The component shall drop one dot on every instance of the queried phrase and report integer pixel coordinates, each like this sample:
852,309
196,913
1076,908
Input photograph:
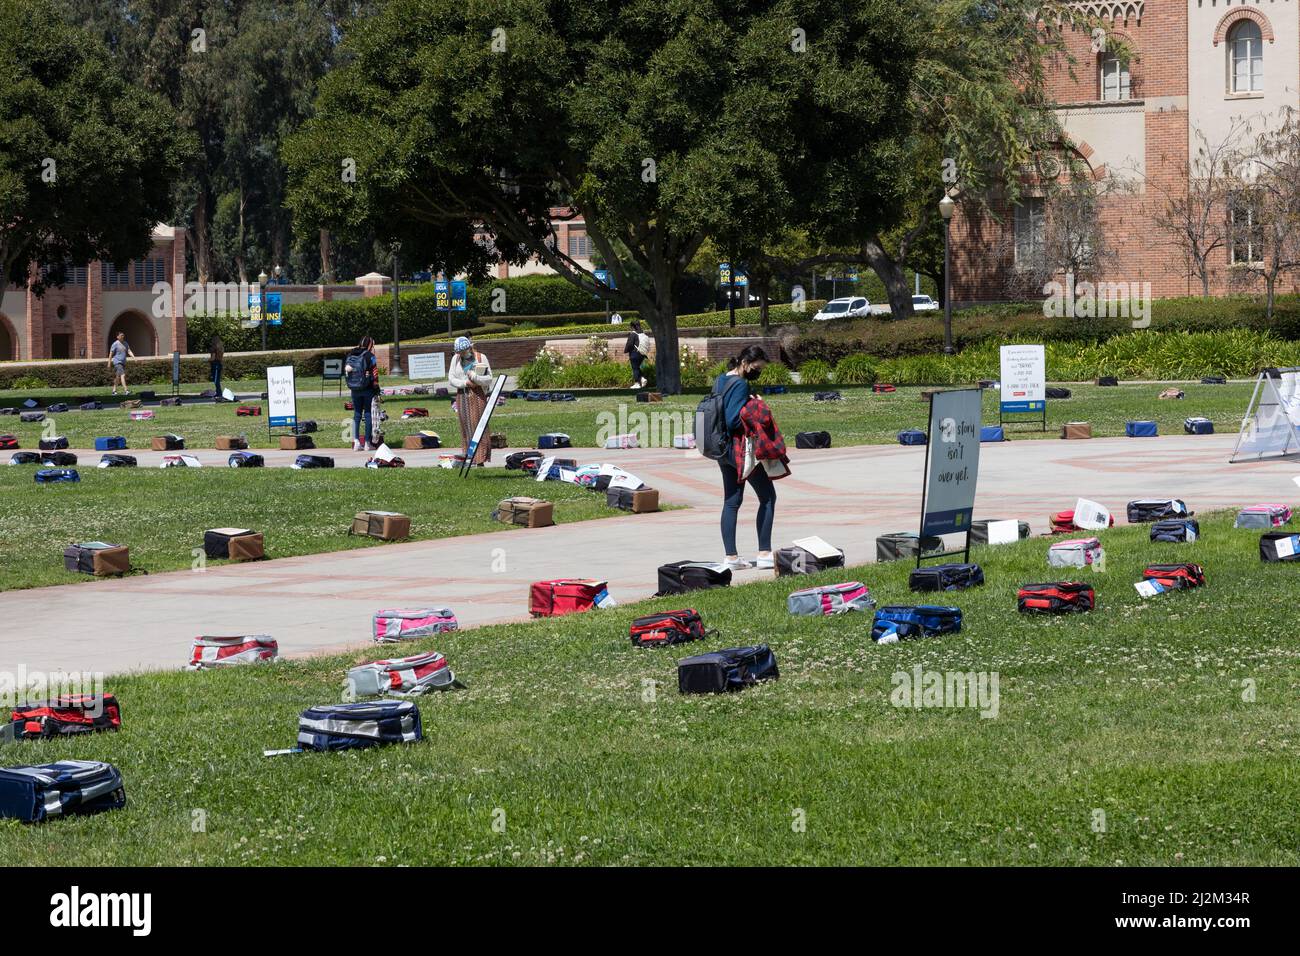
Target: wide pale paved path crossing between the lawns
850,496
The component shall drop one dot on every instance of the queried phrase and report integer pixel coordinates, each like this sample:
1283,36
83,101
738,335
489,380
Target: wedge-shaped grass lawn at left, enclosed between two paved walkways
162,514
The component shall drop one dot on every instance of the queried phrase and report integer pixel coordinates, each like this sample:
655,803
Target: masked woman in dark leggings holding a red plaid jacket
757,456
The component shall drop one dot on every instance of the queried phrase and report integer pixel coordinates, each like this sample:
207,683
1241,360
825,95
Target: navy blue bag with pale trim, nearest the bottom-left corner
64,789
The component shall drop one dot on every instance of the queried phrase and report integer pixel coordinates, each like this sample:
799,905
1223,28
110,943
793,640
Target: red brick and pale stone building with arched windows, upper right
1195,67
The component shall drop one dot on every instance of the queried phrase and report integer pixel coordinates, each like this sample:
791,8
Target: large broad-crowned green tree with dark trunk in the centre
662,124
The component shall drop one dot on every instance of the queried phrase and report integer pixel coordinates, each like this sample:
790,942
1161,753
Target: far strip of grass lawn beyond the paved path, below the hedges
863,418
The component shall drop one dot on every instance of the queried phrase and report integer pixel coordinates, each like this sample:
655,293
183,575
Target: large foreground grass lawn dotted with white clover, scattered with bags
1142,711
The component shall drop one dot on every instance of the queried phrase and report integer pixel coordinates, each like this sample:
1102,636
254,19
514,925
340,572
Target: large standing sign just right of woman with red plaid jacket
954,460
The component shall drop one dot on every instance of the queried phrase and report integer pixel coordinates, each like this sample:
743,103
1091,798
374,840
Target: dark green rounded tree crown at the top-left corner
88,161
